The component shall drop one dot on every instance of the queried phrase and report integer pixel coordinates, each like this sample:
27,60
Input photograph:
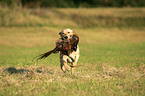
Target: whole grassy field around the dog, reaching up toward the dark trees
112,59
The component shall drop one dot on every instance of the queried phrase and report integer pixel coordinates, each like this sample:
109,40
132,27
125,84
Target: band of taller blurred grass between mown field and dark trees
81,18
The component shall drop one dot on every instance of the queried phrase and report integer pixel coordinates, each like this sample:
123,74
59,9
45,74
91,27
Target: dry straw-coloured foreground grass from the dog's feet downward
45,80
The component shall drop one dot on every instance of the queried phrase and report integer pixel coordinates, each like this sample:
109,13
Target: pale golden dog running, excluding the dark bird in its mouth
73,56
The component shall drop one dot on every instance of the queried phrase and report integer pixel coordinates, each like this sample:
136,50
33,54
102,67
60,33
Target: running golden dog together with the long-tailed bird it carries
68,47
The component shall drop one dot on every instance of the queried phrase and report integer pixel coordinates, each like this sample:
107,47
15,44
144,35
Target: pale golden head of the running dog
66,34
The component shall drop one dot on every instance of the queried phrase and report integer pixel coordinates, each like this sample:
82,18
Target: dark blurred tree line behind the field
73,3
